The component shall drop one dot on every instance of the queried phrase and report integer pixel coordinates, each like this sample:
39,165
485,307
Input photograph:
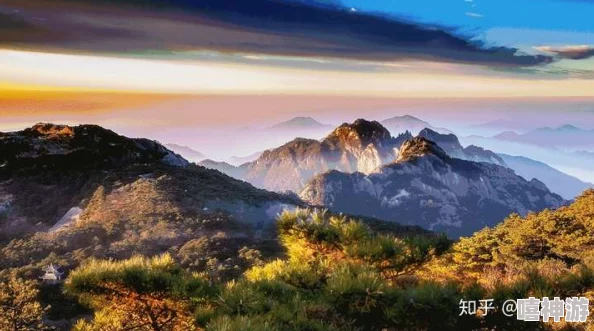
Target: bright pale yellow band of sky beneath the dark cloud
21,70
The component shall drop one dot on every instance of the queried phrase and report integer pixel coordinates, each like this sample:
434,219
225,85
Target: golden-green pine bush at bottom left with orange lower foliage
136,294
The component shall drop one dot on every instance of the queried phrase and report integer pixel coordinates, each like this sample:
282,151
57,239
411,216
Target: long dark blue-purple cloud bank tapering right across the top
256,26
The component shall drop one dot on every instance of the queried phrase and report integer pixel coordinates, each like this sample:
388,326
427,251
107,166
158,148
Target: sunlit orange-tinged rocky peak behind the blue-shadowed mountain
360,146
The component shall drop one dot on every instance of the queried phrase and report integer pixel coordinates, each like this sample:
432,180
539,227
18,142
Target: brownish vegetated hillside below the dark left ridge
144,210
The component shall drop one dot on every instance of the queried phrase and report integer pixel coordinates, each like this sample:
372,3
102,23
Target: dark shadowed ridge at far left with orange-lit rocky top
48,146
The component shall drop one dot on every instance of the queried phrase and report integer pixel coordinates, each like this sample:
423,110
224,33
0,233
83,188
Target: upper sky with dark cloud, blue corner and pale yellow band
427,48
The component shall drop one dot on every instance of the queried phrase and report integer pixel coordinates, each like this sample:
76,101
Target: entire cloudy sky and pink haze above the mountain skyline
170,69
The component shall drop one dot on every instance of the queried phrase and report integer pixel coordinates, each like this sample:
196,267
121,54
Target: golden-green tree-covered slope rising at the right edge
553,241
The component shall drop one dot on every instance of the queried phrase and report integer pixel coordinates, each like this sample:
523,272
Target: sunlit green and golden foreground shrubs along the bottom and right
339,274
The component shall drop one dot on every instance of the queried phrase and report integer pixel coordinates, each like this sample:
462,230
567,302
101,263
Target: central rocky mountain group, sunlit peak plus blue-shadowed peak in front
430,181
